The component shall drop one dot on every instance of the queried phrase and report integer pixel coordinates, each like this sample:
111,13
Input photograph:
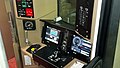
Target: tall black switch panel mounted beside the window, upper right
84,17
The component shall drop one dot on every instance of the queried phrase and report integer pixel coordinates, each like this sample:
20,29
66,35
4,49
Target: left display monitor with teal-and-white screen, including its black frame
51,34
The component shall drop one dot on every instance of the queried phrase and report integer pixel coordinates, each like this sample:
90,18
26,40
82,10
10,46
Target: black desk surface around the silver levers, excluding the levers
46,52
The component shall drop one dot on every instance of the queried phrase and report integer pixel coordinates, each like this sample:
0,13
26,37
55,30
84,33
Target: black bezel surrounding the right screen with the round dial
78,55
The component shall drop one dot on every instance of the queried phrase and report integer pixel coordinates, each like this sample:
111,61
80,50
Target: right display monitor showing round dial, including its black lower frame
80,47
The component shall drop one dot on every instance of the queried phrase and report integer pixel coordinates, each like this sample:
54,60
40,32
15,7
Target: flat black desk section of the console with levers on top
51,57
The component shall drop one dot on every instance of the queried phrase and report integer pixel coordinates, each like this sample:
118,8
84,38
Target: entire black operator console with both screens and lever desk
63,45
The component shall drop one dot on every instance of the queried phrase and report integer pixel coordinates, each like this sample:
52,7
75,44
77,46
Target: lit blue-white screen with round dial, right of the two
80,46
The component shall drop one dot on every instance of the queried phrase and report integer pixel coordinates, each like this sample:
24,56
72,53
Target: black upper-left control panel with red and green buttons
25,8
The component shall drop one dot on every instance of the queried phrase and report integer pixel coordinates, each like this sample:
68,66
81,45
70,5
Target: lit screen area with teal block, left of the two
52,34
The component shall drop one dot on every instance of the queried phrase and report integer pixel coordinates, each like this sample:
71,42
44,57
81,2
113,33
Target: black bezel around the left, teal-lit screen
52,25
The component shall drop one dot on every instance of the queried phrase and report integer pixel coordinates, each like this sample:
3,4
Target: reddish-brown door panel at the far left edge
6,31
